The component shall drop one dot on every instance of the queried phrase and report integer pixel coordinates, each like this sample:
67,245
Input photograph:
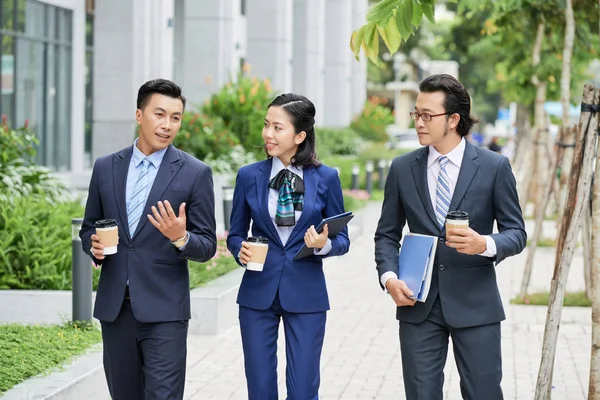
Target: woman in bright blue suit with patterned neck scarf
285,197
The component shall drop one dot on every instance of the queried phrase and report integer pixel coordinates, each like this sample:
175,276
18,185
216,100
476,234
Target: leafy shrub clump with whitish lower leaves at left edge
19,175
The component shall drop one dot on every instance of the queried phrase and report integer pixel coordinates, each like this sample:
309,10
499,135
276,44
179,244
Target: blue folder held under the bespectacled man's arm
415,263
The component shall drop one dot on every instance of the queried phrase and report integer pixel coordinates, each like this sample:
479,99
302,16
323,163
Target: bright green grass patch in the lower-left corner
26,351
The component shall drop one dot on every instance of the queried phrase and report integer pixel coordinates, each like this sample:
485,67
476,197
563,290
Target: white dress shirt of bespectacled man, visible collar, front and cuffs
452,169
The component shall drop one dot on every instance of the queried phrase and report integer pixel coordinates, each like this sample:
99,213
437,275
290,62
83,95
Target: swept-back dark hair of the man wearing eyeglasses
457,99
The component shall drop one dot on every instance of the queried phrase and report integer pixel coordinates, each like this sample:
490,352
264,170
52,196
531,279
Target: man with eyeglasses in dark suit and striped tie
464,303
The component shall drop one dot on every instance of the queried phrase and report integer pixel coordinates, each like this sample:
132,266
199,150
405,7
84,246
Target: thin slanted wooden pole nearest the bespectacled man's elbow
539,216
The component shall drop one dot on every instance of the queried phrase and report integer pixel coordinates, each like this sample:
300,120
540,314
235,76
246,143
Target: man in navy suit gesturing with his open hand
143,298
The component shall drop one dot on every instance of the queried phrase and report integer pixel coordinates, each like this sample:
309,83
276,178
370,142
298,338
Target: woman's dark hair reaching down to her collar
302,113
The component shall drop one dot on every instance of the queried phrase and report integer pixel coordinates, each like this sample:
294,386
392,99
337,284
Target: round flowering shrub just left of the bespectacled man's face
370,124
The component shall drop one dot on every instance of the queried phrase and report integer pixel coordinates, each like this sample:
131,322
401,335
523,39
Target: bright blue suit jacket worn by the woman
301,283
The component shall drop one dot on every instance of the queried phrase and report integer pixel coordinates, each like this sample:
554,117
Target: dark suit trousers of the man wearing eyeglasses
477,352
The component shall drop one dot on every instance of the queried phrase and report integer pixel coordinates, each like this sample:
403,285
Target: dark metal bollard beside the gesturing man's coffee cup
81,276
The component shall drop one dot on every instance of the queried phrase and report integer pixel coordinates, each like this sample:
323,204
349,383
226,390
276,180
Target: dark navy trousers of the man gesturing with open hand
144,361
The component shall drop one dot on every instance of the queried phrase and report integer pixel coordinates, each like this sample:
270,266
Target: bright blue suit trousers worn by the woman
304,334
